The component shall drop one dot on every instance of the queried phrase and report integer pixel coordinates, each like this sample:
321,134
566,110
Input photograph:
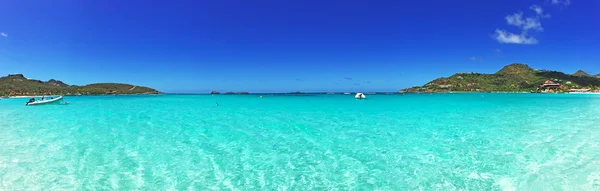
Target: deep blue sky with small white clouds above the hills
281,46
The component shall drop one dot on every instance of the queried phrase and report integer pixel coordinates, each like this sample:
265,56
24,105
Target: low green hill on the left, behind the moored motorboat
17,84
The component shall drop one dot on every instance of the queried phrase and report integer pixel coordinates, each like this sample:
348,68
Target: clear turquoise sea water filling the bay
323,142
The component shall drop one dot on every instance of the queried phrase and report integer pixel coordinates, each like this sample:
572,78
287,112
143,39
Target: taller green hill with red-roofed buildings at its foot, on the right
513,77
